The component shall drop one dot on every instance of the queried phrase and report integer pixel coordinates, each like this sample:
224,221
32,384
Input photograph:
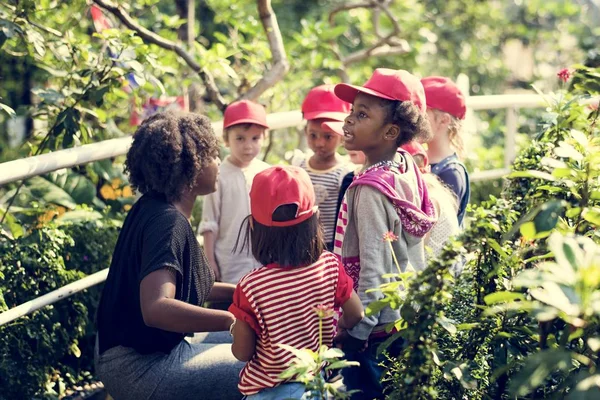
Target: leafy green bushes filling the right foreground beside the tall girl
520,321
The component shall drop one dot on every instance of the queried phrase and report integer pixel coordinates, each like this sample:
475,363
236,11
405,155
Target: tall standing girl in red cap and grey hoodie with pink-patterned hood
387,197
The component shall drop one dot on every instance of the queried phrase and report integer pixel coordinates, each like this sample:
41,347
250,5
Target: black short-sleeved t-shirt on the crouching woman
155,235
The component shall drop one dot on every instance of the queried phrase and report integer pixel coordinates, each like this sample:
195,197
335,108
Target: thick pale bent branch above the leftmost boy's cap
280,63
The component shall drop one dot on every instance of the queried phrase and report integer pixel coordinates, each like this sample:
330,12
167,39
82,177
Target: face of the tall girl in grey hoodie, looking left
365,127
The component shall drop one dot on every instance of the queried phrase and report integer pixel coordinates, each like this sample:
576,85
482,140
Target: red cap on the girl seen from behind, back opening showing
281,185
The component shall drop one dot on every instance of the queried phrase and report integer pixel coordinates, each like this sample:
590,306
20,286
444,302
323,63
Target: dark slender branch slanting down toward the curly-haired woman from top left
151,37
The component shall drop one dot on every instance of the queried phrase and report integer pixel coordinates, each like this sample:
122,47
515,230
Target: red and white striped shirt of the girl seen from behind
278,303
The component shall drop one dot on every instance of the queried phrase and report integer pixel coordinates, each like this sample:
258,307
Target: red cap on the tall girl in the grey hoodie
390,84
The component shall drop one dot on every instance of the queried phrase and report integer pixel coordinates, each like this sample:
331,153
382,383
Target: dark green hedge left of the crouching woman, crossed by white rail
44,352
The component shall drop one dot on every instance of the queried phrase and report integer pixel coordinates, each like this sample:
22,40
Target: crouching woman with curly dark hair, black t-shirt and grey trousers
159,277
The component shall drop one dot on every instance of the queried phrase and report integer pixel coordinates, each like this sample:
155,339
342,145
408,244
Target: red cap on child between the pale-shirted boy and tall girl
321,102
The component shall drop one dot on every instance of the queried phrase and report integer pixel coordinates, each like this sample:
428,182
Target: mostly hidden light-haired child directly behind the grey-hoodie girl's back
443,199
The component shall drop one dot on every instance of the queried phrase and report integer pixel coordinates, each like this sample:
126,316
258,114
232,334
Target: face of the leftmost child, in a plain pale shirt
244,144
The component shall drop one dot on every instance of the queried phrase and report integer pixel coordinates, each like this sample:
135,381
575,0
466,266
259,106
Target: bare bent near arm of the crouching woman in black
161,310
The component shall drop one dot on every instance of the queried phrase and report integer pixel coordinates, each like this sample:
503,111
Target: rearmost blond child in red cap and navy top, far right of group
446,109
